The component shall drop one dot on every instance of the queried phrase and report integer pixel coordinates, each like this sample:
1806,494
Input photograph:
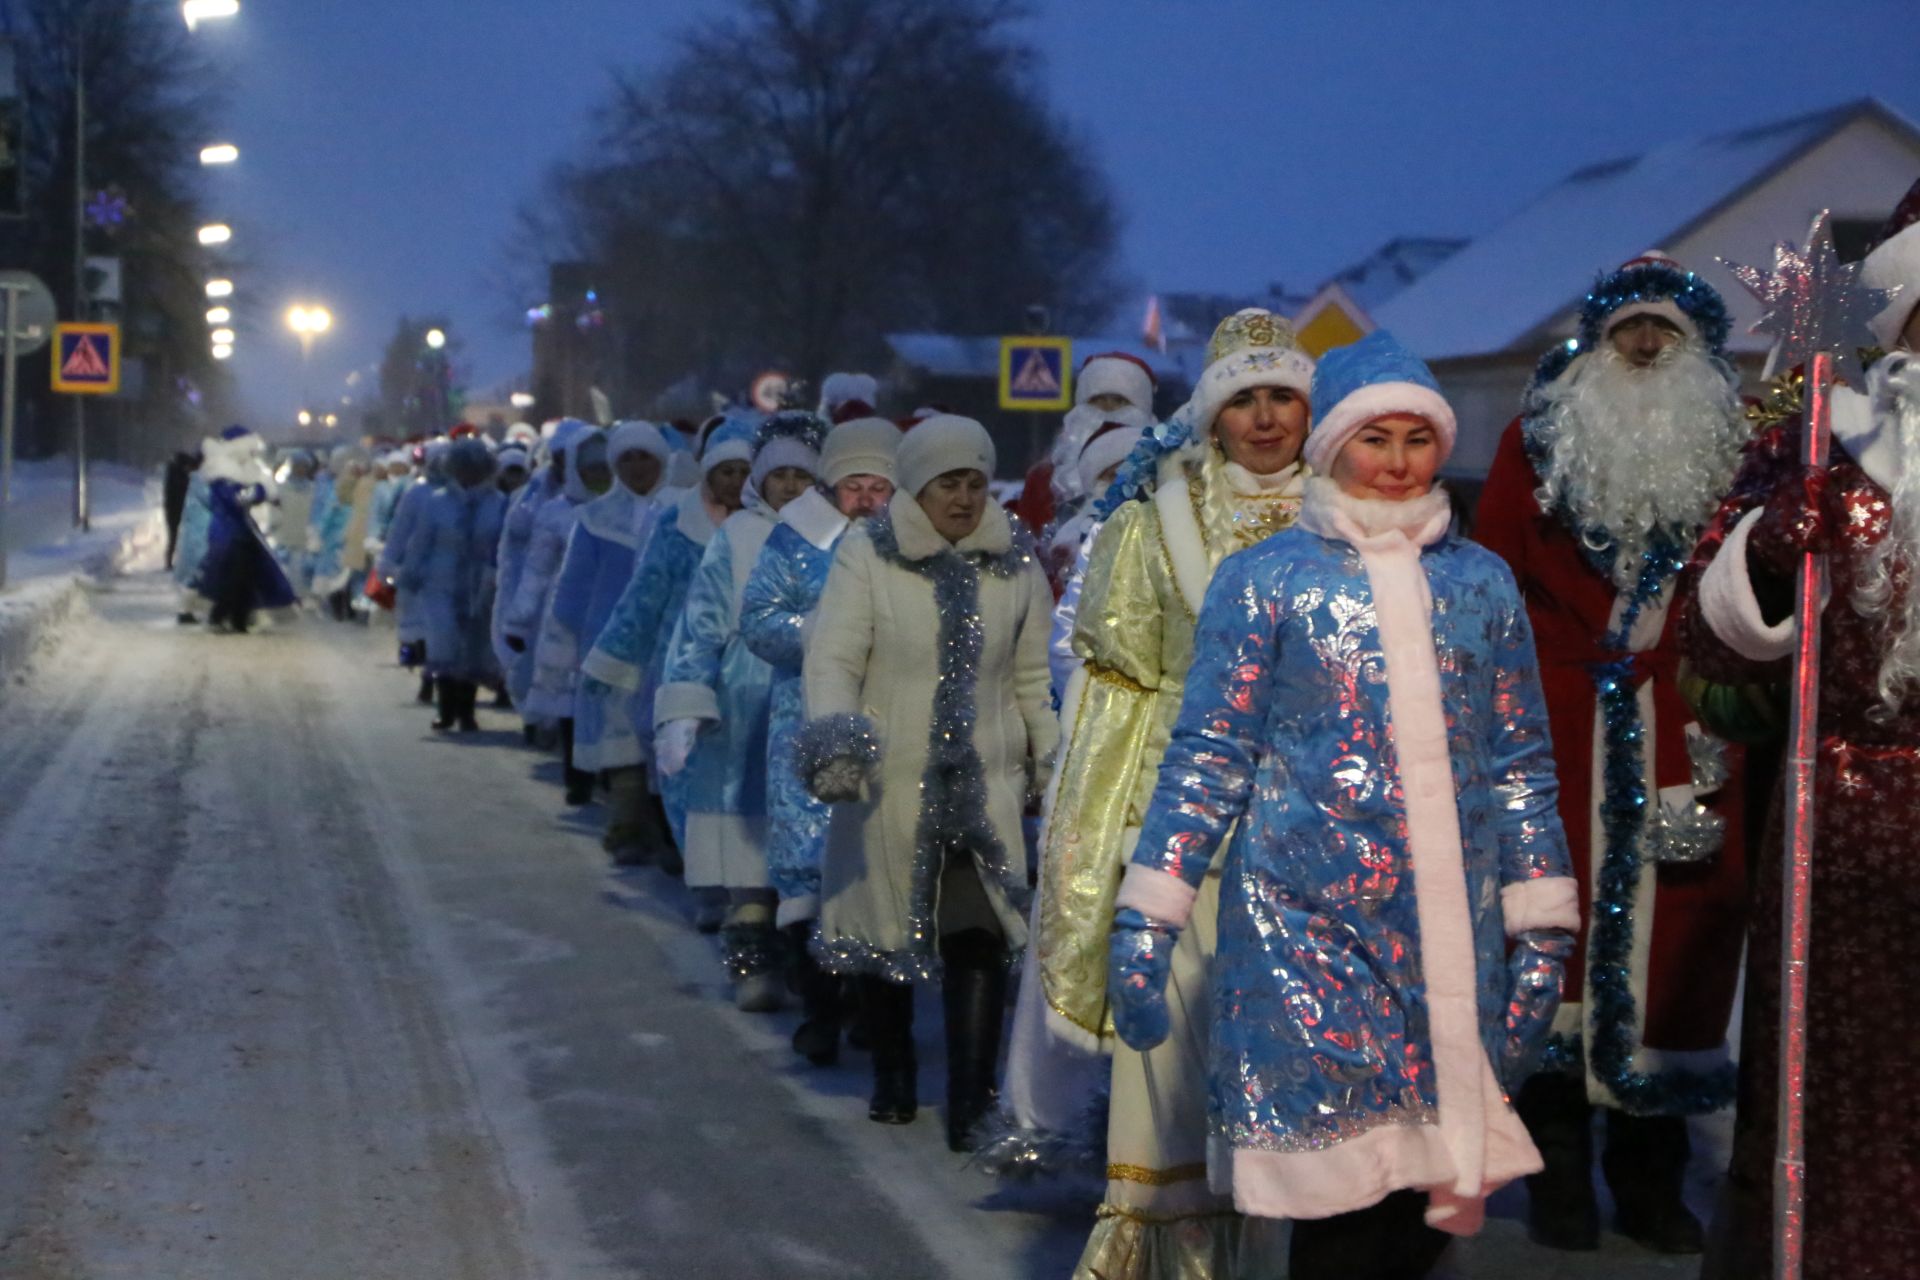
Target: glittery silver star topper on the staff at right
1813,302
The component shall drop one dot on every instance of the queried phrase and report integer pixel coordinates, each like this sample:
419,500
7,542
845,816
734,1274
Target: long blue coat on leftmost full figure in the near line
448,573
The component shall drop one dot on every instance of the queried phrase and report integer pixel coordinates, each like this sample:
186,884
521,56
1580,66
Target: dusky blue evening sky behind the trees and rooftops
387,145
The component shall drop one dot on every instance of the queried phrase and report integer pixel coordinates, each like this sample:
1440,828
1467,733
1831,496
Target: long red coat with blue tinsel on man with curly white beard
1650,989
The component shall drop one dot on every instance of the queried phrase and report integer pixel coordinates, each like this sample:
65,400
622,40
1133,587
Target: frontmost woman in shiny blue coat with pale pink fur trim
1364,715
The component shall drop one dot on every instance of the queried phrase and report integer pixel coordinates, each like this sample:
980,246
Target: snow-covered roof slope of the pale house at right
1497,293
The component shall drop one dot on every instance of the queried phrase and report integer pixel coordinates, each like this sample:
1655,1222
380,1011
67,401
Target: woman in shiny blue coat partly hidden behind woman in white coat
775,617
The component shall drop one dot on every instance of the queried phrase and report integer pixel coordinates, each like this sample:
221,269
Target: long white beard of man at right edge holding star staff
1886,581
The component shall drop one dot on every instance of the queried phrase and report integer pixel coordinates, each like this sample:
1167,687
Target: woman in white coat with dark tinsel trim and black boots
930,730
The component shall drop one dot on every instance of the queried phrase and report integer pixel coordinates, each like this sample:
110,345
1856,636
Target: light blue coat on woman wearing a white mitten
711,675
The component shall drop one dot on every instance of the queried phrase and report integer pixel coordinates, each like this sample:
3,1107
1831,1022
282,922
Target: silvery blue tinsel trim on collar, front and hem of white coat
953,786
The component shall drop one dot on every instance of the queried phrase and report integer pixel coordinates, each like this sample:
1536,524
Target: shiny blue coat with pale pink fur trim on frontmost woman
1322,1074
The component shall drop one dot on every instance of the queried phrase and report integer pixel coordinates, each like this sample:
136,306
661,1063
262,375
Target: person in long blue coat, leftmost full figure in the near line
448,571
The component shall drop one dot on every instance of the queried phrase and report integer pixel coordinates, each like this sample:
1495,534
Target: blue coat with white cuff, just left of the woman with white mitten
633,648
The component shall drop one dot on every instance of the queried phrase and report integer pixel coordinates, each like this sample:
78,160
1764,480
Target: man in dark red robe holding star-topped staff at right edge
1806,581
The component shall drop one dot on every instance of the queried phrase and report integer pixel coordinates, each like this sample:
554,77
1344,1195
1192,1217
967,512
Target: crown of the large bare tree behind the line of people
807,176
